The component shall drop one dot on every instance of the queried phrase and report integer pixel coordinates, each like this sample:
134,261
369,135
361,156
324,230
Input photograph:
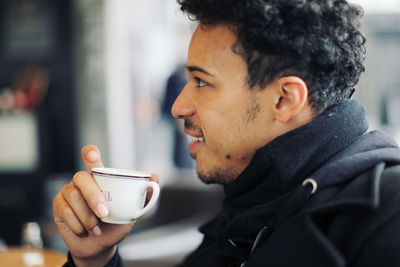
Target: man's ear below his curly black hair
292,97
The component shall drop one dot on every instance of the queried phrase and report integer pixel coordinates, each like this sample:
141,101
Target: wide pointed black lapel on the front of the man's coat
309,246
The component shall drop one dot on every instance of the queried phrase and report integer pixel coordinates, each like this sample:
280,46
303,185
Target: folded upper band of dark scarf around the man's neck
283,163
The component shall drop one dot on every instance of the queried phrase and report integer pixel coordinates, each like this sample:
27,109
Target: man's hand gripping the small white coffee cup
77,208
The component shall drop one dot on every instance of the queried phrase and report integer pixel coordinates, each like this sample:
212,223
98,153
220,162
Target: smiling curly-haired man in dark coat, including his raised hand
267,105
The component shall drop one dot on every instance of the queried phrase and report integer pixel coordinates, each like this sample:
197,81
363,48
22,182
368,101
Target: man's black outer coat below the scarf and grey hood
352,224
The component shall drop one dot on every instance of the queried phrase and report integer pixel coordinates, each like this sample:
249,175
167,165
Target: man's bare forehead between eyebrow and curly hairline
211,48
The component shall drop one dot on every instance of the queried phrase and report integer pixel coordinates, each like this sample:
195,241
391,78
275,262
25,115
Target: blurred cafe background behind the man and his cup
105,72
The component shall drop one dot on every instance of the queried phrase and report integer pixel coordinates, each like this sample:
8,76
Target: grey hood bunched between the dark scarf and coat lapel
353,175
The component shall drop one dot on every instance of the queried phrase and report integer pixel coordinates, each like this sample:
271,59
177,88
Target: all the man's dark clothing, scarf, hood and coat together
270,217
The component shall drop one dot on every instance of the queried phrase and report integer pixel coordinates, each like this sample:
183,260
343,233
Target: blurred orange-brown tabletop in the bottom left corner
25,257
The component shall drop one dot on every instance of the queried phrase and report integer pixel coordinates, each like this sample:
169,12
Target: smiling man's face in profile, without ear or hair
227,120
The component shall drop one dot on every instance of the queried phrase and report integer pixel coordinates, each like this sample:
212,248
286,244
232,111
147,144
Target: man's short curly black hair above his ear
317,40
